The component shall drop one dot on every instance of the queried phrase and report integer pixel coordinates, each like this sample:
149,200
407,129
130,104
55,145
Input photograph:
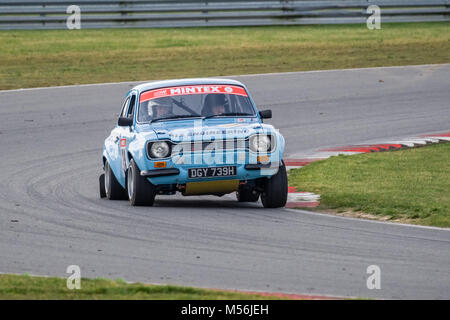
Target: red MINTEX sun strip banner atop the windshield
200,89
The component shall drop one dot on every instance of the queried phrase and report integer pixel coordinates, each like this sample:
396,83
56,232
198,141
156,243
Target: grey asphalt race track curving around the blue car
51,215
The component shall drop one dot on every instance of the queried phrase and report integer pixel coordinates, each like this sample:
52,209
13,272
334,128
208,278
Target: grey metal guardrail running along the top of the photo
33,14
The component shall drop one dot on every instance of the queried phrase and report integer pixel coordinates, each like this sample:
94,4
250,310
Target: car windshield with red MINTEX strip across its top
205,101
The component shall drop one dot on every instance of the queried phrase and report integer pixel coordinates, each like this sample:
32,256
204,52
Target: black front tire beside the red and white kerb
275,189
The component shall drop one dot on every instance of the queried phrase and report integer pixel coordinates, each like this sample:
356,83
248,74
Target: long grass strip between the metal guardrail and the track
61,57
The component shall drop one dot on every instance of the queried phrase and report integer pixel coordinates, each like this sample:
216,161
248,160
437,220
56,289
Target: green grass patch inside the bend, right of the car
411,185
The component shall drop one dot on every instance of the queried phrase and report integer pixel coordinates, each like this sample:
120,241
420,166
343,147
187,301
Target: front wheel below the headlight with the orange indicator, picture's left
140,191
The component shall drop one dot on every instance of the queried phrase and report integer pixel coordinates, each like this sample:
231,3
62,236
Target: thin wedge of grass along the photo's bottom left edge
28,287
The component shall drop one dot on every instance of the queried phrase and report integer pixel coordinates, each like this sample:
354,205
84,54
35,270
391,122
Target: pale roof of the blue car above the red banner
185,82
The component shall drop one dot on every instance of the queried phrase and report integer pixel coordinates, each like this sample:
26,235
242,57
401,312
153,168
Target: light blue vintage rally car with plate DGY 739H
196,137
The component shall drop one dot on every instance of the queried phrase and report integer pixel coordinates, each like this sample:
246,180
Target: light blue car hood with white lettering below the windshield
198,129
